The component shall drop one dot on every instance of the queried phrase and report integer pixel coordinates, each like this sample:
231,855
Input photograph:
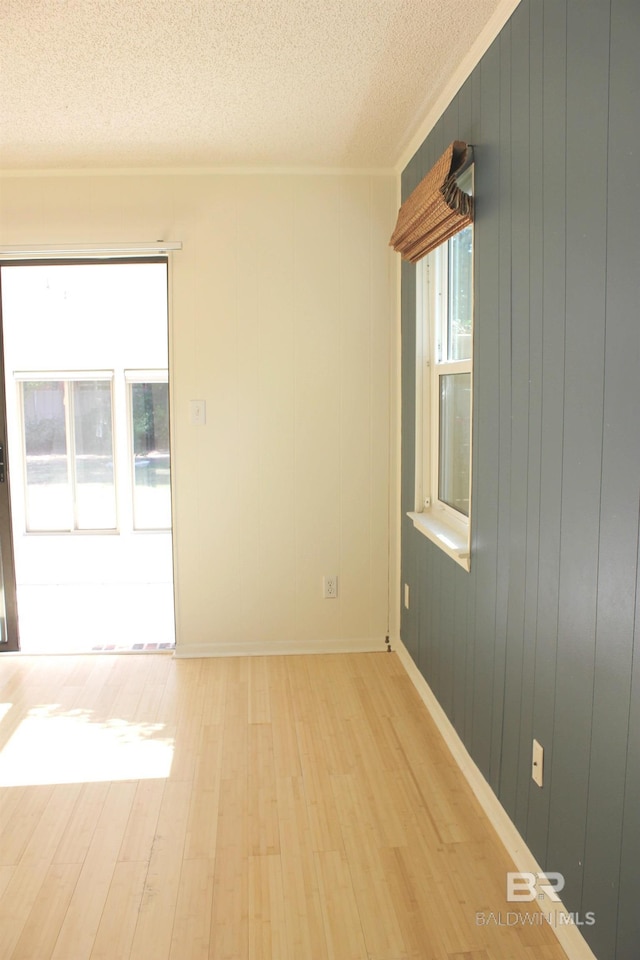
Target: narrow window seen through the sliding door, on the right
149,430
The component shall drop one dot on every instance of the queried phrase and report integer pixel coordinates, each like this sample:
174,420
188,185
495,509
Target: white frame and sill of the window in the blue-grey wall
445,526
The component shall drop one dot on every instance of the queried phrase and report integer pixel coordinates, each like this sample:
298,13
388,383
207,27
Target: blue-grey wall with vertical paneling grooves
542,638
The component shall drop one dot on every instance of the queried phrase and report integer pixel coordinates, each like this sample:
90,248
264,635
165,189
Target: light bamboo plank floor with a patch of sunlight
271,808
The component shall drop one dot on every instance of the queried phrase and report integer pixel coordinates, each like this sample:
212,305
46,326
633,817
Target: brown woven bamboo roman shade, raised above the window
436,210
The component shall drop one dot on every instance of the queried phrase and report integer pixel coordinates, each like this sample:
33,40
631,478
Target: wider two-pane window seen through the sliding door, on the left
68,448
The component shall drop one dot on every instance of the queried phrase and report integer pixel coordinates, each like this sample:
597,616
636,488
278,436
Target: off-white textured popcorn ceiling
159,83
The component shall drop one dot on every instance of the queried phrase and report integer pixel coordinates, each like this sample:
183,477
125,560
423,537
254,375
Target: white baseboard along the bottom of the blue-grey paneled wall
568,935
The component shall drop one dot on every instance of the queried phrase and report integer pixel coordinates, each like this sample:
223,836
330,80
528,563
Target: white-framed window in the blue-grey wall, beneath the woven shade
444,358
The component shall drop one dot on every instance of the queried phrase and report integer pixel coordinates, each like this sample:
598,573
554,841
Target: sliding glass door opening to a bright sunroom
87,430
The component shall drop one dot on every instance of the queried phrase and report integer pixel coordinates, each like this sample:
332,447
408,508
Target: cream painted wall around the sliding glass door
283,306
